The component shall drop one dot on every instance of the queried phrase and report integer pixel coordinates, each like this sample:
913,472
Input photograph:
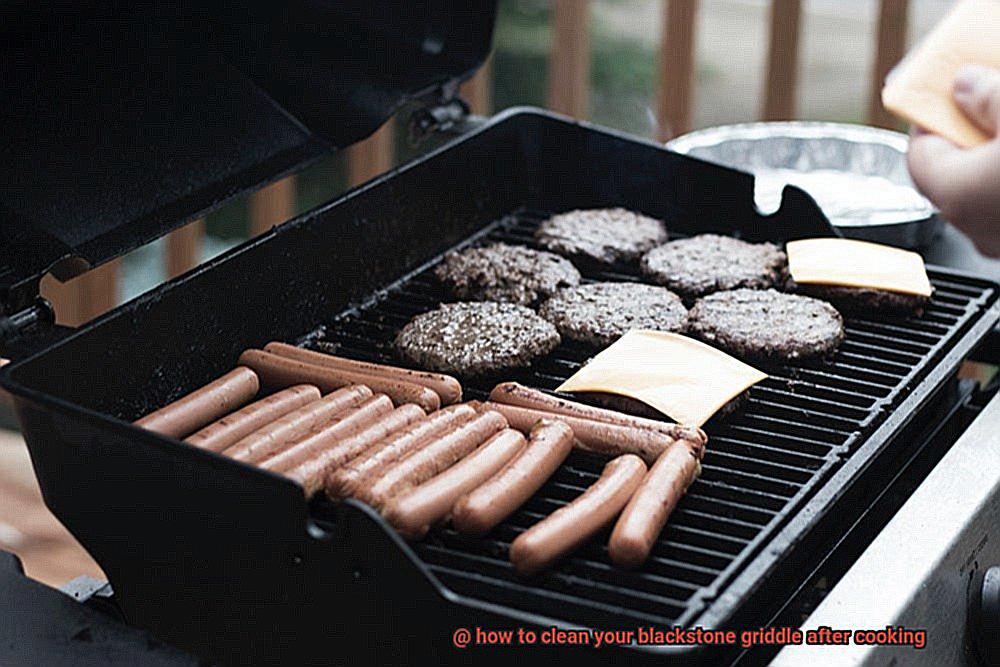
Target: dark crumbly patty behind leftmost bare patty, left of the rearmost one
506,273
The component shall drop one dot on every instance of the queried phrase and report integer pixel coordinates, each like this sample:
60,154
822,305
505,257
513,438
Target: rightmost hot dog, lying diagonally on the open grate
648,510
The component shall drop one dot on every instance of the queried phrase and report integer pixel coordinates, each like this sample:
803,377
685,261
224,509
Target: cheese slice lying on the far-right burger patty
852,263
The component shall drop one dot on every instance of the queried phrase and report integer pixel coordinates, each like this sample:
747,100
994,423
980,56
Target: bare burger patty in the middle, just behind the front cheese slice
600,313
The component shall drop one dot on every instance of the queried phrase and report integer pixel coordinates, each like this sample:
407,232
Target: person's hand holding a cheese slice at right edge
965,183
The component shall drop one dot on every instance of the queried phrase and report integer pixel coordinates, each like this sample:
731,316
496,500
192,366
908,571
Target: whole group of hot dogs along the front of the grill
380,434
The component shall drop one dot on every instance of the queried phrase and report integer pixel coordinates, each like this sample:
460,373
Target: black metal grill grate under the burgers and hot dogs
763,460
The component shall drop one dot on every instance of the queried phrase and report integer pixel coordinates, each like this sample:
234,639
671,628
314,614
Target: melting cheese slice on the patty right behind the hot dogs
683,378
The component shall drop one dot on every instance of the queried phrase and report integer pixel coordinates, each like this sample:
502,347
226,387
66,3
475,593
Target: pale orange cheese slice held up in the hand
919,90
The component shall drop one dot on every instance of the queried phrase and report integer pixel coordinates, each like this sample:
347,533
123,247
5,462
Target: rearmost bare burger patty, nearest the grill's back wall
601,235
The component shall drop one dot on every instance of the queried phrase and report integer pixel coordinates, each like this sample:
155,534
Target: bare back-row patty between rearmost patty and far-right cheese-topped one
710,263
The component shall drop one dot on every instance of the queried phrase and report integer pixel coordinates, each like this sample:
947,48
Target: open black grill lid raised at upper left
123,122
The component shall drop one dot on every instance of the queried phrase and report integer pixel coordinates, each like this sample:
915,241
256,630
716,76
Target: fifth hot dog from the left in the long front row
312,472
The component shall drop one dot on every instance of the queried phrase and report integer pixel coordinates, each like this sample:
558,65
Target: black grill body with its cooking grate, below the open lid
230,562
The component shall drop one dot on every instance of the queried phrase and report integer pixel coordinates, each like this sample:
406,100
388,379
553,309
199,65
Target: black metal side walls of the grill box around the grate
226,560
